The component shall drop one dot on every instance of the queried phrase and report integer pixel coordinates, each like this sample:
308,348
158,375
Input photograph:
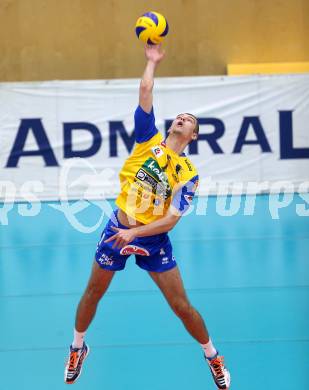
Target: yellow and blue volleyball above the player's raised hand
151,28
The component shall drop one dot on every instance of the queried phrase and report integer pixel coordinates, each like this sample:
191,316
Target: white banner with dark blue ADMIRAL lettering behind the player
70,139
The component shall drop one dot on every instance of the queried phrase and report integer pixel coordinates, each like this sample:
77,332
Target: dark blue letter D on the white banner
68,129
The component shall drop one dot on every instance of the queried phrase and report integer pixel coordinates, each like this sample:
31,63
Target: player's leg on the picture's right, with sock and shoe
171,285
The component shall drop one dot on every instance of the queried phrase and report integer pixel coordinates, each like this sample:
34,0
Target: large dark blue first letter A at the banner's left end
44,147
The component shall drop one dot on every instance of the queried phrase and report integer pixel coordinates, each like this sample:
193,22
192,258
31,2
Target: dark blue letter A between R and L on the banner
261,139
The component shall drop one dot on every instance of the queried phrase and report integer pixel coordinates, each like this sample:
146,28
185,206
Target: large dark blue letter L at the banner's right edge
287,151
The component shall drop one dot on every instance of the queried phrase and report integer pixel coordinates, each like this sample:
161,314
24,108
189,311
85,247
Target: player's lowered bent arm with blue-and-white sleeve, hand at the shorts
180,203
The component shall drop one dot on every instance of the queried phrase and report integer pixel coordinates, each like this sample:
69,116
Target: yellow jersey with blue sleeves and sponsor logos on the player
154,177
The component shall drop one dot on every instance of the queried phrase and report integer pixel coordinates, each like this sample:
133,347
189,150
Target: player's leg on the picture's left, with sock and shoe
97,285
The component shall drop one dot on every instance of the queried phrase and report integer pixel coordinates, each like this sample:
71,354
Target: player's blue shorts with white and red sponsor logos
153,253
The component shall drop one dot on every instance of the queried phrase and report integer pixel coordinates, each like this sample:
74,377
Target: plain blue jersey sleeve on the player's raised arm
144,124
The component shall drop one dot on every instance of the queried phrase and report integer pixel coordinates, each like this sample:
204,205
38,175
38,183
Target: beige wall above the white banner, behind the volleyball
90,39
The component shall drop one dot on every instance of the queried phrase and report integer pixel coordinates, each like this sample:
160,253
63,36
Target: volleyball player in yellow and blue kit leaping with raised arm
158,183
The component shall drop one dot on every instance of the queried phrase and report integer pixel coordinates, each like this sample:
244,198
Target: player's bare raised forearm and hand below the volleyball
154,54
